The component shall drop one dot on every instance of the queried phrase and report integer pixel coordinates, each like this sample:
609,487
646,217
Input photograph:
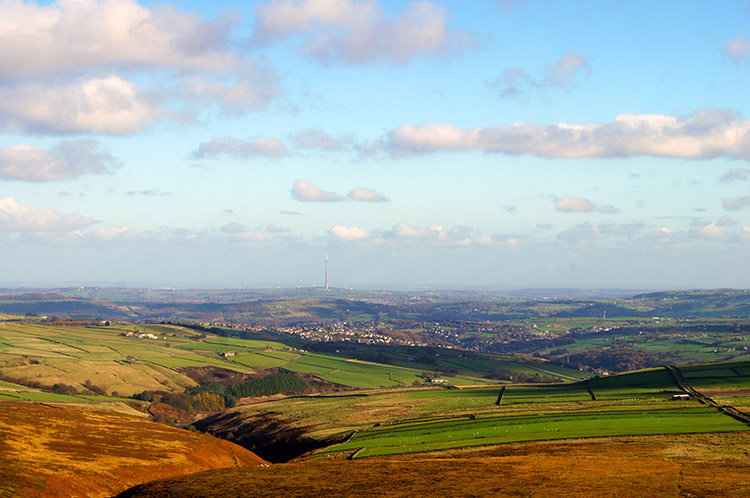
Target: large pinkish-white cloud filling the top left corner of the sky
74,36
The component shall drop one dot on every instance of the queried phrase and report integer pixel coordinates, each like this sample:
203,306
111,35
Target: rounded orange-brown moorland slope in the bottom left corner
54,451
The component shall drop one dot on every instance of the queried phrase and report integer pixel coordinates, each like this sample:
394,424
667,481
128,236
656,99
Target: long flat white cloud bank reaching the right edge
708,133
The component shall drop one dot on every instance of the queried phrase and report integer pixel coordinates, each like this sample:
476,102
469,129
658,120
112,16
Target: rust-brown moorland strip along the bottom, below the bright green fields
666,466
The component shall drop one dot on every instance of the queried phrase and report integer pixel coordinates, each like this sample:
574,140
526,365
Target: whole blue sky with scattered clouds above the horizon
429,144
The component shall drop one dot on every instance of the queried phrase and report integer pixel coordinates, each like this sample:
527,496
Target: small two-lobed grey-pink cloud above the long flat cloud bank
562,74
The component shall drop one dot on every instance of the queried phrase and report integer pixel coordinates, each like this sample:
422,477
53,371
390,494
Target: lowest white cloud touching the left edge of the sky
15,217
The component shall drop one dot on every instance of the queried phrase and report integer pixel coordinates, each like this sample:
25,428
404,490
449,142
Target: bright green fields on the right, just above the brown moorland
638,403
